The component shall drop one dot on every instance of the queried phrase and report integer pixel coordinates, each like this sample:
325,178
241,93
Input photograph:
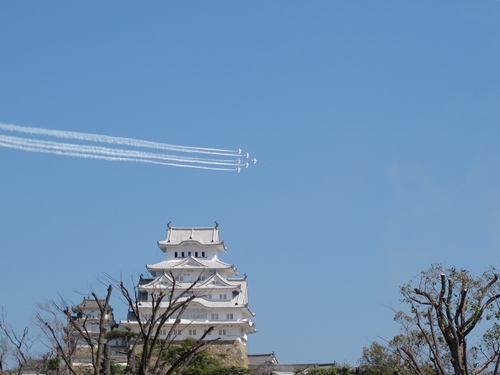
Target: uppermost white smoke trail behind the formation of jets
116,140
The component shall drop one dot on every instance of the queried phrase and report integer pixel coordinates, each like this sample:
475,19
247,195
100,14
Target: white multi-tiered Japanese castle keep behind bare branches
222,297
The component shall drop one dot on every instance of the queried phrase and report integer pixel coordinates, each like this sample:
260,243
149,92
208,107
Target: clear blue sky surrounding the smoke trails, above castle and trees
376,125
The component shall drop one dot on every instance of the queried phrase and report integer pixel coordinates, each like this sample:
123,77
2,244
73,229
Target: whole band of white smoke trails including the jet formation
231,158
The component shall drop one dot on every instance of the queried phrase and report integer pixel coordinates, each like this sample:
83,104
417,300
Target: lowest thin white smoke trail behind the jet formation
111,158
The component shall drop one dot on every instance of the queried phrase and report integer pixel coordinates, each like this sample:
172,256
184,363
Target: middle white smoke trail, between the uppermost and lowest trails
113,152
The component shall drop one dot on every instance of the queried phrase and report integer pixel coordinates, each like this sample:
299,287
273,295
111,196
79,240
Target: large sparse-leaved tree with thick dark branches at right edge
446,305
